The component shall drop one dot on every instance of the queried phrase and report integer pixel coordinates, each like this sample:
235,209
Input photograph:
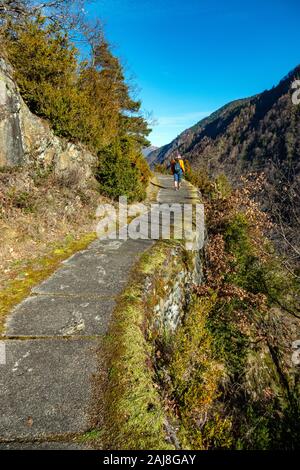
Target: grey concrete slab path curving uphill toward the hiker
48,386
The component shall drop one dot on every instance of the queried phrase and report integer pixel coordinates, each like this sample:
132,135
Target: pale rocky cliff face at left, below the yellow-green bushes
26,138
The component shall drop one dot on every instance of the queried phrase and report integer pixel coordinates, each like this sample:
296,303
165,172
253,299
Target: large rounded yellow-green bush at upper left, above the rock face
45,68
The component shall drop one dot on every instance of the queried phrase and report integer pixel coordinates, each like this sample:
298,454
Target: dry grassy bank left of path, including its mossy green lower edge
43,220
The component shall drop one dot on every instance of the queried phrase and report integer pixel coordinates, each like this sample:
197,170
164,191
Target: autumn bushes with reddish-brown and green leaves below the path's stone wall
228,376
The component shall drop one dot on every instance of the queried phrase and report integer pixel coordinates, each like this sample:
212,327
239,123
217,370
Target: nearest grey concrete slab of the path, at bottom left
47,387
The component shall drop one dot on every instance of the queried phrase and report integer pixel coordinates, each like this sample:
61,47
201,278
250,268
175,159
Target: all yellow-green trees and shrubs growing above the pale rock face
85,101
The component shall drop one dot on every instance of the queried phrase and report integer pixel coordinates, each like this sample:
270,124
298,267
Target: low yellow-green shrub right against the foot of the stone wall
195,376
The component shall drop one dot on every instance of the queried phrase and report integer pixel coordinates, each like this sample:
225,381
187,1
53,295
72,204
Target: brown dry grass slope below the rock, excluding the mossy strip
36,212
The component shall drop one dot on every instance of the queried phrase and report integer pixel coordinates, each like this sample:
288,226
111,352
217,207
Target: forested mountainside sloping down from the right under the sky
256,134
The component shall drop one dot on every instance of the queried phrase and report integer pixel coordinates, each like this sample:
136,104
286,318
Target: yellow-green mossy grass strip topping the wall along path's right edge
135,413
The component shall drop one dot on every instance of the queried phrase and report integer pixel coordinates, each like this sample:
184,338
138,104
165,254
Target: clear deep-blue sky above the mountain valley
190,57
